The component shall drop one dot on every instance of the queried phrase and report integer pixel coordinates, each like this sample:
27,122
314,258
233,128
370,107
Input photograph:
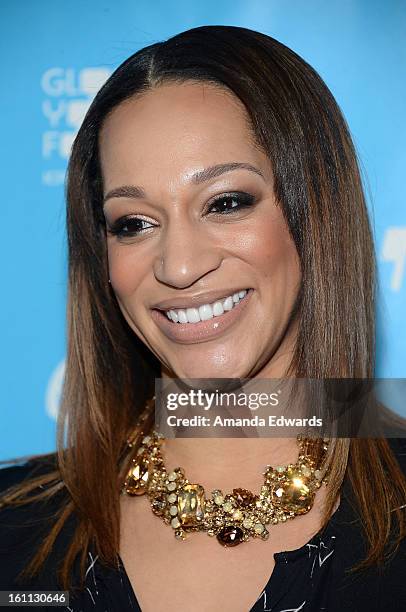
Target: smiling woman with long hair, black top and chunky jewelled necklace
214,165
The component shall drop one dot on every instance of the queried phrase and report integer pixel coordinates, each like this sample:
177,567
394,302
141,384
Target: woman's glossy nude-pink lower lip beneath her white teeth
191,333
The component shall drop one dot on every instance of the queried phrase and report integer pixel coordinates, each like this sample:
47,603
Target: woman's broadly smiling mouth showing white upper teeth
186,326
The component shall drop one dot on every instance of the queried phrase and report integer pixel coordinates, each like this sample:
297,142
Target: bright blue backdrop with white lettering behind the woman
54,57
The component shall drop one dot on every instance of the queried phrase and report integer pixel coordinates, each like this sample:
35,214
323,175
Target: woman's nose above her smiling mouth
186,255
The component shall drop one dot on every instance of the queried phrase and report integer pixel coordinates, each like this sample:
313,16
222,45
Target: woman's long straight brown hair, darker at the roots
110,373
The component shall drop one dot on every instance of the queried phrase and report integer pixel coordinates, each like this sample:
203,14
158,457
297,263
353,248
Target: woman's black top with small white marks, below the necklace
311,578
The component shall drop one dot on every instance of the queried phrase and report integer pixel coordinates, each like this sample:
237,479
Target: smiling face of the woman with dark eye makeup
192,199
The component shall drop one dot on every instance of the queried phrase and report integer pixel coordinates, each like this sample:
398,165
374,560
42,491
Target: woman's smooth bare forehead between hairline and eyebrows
174,127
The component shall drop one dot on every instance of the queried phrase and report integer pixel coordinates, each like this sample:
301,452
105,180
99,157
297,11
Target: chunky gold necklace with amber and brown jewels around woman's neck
288,491
